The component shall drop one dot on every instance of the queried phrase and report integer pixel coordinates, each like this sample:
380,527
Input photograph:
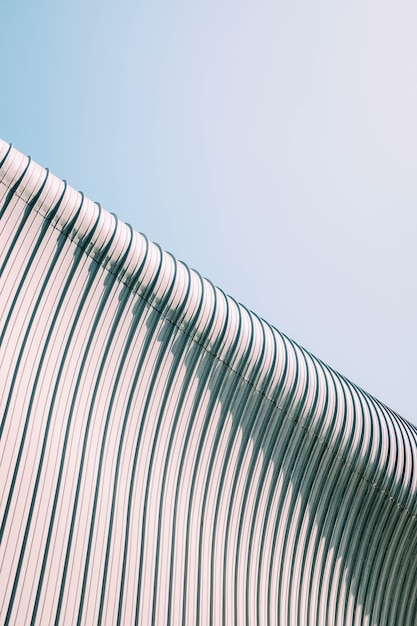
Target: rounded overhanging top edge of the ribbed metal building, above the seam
370,437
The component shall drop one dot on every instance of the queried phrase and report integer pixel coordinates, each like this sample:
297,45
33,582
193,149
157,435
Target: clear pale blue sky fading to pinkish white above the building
270,145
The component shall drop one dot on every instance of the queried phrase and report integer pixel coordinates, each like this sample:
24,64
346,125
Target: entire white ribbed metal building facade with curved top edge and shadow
167,456
